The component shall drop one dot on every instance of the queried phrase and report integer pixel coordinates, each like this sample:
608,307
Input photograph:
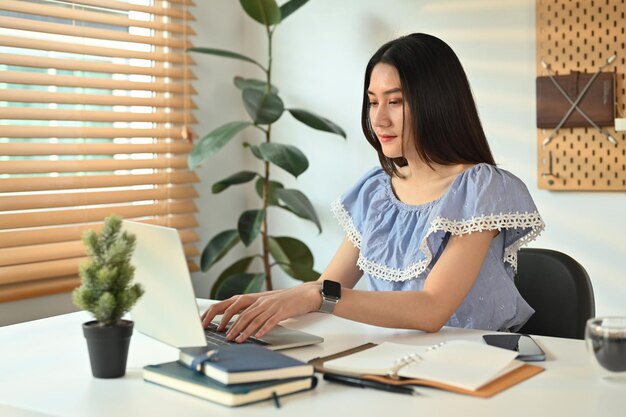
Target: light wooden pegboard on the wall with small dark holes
581,36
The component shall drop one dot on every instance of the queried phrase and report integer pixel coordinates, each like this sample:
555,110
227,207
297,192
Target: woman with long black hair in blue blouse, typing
435,232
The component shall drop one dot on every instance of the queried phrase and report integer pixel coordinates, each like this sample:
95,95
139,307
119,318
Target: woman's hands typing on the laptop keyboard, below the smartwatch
260,312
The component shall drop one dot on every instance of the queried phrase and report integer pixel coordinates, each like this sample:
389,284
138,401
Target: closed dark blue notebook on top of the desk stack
235,364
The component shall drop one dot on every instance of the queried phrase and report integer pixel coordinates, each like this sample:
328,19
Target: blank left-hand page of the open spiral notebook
377,360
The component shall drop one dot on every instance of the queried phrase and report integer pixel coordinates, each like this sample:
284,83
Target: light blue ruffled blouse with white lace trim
400,243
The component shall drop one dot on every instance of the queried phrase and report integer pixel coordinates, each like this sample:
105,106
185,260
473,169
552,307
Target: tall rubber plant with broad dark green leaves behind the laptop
264,107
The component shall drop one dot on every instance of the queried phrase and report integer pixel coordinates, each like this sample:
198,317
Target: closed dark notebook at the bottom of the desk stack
179,377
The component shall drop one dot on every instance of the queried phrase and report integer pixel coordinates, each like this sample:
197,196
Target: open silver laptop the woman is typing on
168,311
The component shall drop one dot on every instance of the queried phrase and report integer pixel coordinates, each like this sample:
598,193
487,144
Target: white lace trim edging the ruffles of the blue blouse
455,227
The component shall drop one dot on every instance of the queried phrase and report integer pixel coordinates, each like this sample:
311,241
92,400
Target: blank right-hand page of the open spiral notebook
468,365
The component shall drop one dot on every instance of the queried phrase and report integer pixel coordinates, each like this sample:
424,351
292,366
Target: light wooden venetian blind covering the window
95,108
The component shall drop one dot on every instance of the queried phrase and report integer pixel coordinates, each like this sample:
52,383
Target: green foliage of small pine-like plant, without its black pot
106,290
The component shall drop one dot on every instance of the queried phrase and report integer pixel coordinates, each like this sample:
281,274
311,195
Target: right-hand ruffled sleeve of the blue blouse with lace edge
487,198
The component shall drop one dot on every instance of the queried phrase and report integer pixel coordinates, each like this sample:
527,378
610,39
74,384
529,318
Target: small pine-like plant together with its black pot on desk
107,292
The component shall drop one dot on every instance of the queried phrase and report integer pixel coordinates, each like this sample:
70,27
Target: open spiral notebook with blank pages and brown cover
460,366
